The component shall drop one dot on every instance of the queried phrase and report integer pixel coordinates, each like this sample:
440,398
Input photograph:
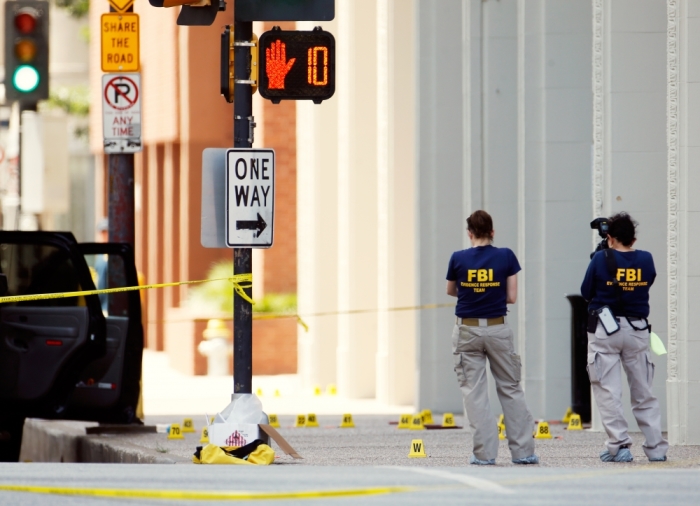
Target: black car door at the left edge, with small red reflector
44,344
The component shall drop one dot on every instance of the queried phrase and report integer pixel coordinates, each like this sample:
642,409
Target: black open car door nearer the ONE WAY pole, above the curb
108,388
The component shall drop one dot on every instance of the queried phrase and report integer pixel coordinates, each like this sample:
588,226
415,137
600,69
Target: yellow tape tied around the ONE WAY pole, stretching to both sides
240,283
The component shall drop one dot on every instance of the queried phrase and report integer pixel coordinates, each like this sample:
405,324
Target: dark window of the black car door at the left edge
33,269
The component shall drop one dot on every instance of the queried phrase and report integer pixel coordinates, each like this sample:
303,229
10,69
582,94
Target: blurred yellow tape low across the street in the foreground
198,495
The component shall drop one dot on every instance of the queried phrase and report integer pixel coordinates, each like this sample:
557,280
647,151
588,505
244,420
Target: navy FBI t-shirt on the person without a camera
481,275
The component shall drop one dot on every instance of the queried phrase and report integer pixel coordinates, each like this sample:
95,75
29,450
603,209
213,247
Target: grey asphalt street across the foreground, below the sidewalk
652,485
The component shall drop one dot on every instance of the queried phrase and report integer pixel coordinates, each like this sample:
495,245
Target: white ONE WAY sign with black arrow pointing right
250,197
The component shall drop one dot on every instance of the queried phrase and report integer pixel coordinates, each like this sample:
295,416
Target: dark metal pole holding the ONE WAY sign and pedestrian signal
242,257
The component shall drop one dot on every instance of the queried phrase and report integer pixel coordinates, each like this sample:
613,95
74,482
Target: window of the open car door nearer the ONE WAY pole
108,272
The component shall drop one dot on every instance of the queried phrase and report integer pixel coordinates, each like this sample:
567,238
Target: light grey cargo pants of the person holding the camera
631,347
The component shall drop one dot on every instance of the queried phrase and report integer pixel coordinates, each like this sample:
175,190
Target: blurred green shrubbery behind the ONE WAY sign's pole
217,296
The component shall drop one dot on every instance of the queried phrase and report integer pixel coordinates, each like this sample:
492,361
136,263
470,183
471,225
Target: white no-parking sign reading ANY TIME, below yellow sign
121,113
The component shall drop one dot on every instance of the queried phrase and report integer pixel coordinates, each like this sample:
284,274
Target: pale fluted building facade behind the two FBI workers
546,113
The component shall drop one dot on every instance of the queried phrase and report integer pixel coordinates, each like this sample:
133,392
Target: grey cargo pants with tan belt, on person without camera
471,347
